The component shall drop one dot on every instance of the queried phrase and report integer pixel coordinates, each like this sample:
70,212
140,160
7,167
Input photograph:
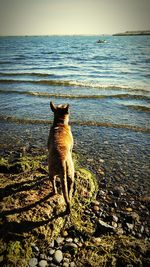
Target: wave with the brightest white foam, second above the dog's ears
73,83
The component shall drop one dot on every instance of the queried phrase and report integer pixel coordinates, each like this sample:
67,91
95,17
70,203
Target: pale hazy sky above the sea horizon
40,17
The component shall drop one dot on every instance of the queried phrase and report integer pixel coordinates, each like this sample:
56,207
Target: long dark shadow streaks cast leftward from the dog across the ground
15,228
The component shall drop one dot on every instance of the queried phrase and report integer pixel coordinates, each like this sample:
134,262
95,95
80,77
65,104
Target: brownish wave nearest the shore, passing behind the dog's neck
79,123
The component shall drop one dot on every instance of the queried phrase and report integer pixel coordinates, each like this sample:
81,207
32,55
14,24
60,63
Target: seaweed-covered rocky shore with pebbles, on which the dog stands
105,217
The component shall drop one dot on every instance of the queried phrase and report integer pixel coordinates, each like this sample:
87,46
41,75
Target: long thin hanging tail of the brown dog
65,185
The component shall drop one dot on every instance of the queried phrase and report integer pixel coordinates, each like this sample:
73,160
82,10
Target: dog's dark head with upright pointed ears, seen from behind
61,112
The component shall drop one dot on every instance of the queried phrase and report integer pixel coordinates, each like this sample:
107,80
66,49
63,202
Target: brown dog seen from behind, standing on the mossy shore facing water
60,144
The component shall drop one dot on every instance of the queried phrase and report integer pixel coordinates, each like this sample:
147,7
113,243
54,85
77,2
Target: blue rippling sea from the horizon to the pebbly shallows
107,85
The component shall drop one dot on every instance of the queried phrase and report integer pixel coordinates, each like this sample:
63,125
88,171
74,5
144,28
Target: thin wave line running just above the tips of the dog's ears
79,96
